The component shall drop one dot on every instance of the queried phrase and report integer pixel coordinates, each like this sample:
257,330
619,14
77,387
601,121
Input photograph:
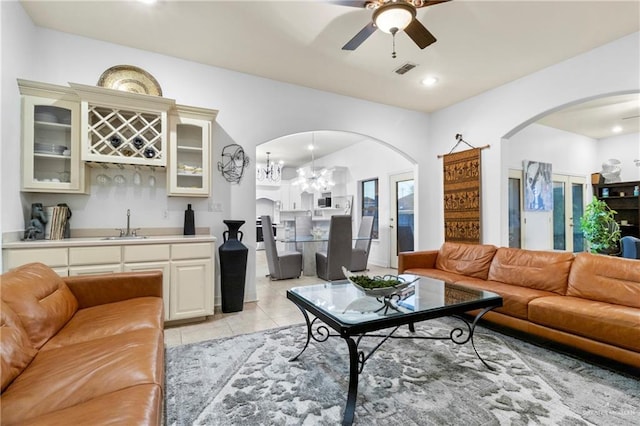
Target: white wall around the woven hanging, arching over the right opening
492,116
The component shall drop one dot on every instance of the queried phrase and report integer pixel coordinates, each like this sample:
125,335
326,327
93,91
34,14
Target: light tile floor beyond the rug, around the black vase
272,309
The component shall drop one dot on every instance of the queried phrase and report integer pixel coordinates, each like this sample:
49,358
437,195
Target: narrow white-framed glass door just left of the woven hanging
402,223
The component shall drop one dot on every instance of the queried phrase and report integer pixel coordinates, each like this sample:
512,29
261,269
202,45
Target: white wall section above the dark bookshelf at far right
625,148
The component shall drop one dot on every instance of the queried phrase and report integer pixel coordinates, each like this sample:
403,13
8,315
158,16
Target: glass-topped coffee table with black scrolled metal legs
339,309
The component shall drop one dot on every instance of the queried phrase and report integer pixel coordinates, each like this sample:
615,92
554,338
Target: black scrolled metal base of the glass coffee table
357,358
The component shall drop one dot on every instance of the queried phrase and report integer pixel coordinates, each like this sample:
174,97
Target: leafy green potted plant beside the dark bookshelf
600,228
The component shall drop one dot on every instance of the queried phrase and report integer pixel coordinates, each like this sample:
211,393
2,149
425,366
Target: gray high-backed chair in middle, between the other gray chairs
329,263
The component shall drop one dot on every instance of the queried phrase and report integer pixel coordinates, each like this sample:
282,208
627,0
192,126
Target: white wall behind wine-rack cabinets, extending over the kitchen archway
252,110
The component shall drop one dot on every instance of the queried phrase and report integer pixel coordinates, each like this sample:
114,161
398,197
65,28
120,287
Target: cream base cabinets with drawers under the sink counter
187,267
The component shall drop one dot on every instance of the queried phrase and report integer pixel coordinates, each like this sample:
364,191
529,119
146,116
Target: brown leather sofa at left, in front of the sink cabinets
81,350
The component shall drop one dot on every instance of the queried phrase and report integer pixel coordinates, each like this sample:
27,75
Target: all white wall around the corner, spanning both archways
254,110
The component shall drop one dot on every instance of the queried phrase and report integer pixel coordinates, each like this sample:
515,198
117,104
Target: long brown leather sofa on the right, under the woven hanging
586,301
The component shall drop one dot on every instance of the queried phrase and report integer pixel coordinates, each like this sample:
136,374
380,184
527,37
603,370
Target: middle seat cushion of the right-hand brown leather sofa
515,299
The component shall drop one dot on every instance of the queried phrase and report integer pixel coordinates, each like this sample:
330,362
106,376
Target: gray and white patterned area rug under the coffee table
248,380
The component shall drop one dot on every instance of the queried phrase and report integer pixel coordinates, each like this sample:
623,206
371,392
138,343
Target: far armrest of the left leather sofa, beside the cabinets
93,290
